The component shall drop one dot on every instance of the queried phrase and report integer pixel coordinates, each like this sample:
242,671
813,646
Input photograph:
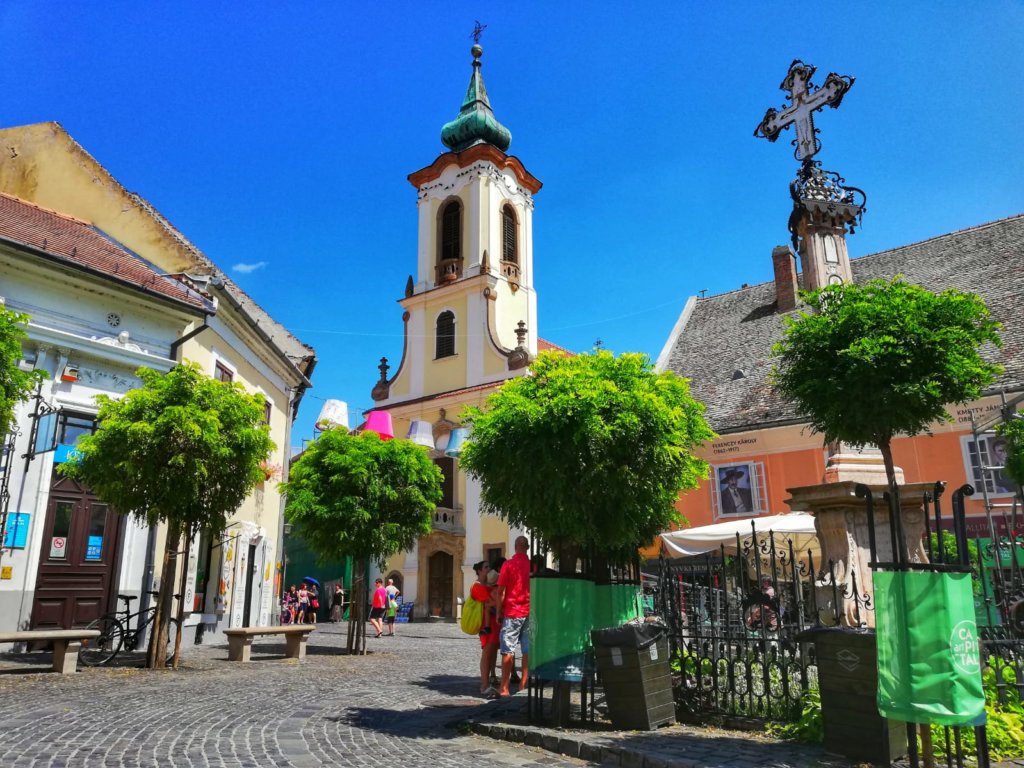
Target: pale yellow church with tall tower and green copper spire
471,320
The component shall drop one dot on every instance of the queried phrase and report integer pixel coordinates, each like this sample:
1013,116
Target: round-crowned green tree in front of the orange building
883,359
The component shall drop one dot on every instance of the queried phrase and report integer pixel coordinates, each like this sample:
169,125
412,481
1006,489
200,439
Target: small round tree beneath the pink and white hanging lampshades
365,498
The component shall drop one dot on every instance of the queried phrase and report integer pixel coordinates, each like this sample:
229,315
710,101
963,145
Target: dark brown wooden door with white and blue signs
79,559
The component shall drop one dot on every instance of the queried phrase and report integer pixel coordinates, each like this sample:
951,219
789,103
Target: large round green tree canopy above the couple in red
591,450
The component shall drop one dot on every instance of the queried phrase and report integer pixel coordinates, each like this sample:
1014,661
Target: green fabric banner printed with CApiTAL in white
929,657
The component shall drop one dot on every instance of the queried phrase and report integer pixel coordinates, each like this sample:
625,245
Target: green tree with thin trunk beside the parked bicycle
183,450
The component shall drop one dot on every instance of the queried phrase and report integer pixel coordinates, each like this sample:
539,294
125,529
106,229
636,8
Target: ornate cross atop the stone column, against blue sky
805,100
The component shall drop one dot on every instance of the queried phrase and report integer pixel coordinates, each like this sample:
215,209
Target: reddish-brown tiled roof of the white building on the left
68,241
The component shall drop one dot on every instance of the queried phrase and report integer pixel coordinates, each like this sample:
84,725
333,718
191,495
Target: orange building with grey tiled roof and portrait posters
723,345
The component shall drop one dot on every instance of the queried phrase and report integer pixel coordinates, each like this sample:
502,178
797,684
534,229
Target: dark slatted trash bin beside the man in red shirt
633,666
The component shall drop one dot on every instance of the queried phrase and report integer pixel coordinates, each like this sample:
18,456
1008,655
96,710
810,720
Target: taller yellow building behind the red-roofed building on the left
230,582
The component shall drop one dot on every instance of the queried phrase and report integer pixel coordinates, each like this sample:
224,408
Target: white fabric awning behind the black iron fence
795,527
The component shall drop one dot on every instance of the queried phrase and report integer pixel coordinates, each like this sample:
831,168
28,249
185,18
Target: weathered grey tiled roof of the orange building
723,344
